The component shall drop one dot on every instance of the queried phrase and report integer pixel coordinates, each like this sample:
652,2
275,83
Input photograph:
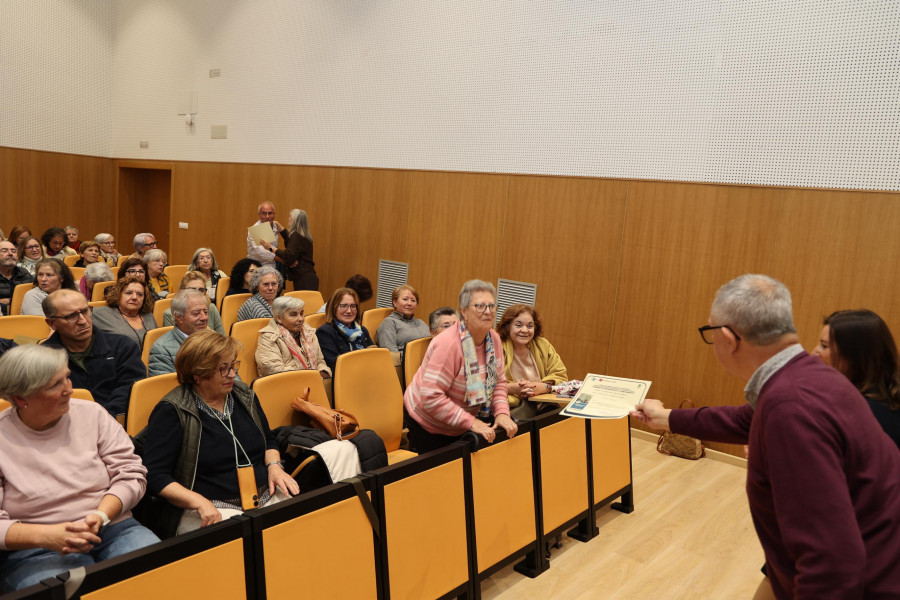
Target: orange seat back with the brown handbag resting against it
275,393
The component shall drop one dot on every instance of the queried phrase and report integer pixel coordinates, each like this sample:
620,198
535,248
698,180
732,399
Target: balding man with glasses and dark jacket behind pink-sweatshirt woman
107,364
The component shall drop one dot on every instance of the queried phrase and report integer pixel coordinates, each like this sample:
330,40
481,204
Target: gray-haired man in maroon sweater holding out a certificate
823,479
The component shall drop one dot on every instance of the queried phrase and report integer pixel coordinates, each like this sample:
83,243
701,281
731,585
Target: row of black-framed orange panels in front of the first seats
498,505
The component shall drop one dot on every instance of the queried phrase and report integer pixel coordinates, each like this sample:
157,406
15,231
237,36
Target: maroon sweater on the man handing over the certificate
823,482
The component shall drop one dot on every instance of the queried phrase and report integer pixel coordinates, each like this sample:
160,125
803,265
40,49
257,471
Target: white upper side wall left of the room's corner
56,75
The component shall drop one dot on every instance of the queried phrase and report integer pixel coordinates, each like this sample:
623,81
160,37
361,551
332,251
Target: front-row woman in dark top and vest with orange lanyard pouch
202,432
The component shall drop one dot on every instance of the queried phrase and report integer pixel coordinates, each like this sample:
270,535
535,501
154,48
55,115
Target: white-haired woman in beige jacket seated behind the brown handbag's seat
286,343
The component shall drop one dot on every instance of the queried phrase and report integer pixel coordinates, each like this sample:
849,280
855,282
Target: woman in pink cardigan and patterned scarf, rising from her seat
461,385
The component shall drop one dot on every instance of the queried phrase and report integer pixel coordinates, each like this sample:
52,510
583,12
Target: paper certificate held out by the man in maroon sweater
605,397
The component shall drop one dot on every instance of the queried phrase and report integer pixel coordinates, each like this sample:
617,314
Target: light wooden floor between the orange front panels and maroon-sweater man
690,536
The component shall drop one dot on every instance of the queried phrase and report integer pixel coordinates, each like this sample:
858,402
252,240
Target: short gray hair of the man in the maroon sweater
758,307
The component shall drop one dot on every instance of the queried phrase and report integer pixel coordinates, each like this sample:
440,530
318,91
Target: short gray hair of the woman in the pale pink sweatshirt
26,369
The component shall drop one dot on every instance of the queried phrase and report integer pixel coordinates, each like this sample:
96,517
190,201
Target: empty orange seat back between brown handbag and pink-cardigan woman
366,385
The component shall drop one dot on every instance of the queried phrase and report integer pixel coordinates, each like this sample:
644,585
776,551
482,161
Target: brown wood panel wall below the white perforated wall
626,270
